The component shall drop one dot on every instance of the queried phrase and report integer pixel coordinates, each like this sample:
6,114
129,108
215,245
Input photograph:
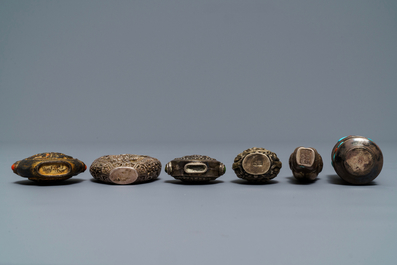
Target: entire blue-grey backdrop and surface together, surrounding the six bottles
173,78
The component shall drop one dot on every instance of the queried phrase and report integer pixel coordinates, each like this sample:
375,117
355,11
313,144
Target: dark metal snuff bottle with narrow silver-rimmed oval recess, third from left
195,168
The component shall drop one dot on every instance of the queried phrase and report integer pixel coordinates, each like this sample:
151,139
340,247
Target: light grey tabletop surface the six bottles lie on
227,221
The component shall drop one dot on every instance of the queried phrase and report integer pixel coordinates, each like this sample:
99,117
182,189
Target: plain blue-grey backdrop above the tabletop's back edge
166,71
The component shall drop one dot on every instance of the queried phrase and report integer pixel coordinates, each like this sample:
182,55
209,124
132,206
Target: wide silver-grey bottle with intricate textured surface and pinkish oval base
125,168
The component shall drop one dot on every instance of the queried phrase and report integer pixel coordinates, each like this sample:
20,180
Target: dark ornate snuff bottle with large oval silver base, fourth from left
257,165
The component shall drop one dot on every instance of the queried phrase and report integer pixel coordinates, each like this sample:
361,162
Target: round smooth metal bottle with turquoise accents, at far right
356,159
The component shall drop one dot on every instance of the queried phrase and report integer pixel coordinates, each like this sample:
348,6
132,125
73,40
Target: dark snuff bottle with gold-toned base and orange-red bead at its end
48,167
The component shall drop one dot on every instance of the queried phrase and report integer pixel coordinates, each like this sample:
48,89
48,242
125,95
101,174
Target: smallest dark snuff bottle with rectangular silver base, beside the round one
306,163
